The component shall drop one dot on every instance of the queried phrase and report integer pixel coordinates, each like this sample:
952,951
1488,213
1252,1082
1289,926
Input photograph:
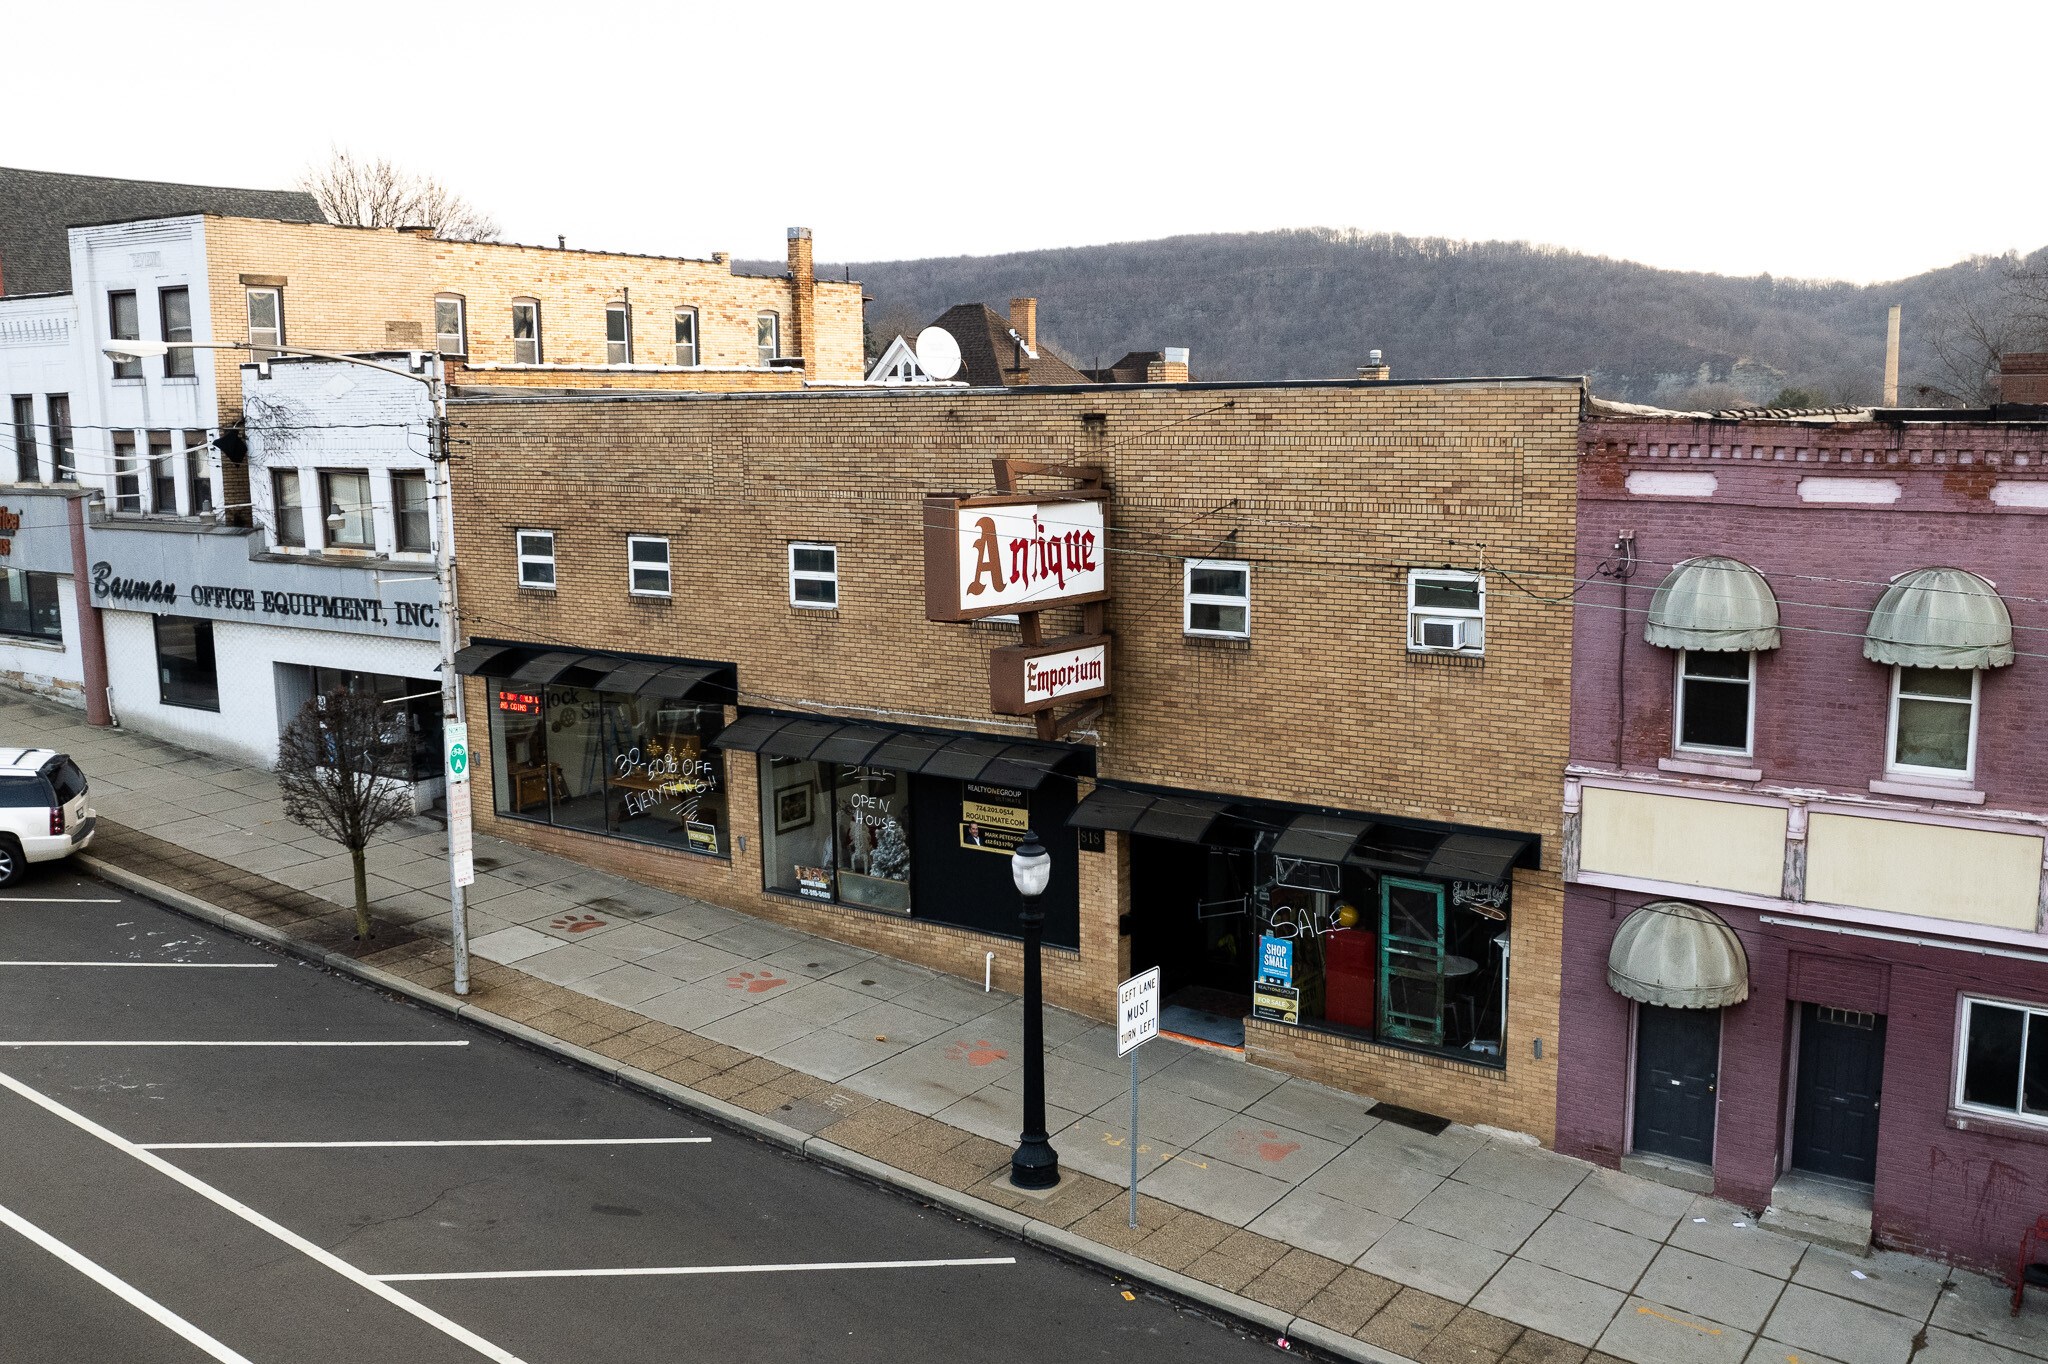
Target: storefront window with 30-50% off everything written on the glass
611,763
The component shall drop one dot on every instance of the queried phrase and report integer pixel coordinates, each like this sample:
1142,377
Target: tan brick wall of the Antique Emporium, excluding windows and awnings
1334,493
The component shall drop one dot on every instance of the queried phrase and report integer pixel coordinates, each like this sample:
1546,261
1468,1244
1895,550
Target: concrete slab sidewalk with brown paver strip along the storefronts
1455,1244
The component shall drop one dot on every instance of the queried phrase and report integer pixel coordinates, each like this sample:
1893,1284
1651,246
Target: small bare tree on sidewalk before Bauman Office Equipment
345,773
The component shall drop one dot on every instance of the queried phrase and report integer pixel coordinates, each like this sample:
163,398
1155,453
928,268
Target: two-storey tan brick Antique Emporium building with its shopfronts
699,656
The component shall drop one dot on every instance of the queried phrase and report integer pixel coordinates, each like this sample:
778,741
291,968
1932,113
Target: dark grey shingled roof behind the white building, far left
40,206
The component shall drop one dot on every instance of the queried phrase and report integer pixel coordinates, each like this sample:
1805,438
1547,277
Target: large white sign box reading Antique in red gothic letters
1005,554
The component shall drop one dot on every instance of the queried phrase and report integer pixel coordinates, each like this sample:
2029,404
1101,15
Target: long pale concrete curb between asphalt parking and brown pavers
767,1129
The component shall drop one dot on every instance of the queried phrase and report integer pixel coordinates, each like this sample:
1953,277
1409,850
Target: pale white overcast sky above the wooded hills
1820,140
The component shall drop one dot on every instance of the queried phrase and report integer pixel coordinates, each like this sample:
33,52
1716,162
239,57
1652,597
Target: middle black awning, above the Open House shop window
974,759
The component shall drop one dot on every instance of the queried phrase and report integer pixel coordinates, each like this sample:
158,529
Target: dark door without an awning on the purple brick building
1840,1080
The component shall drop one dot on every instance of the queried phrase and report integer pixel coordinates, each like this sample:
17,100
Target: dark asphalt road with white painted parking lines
118,1248
